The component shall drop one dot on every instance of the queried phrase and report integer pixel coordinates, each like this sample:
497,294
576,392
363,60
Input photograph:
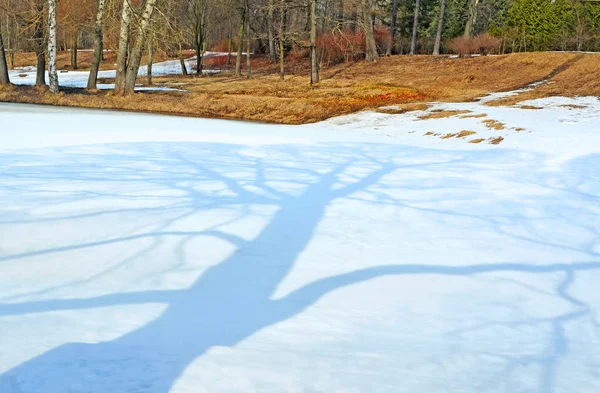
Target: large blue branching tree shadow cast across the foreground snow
235,299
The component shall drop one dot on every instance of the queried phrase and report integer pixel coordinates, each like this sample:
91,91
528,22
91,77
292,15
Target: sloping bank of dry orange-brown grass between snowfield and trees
346,88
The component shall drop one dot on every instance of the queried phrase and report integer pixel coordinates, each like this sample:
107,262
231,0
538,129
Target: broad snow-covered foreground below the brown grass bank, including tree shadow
155,254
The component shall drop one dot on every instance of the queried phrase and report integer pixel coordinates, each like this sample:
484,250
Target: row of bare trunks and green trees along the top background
325,31
